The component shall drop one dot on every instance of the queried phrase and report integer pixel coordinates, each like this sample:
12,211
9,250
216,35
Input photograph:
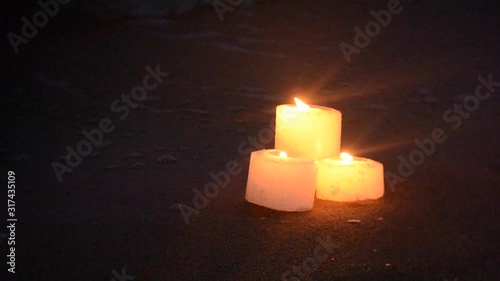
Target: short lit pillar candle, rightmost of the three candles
348,178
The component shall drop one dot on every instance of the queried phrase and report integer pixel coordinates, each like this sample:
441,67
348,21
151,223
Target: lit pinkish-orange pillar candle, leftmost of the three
279,182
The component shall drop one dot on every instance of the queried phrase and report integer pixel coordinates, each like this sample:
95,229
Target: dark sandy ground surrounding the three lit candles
225,80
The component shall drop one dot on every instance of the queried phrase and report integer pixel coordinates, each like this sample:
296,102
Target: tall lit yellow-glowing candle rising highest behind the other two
311,132
